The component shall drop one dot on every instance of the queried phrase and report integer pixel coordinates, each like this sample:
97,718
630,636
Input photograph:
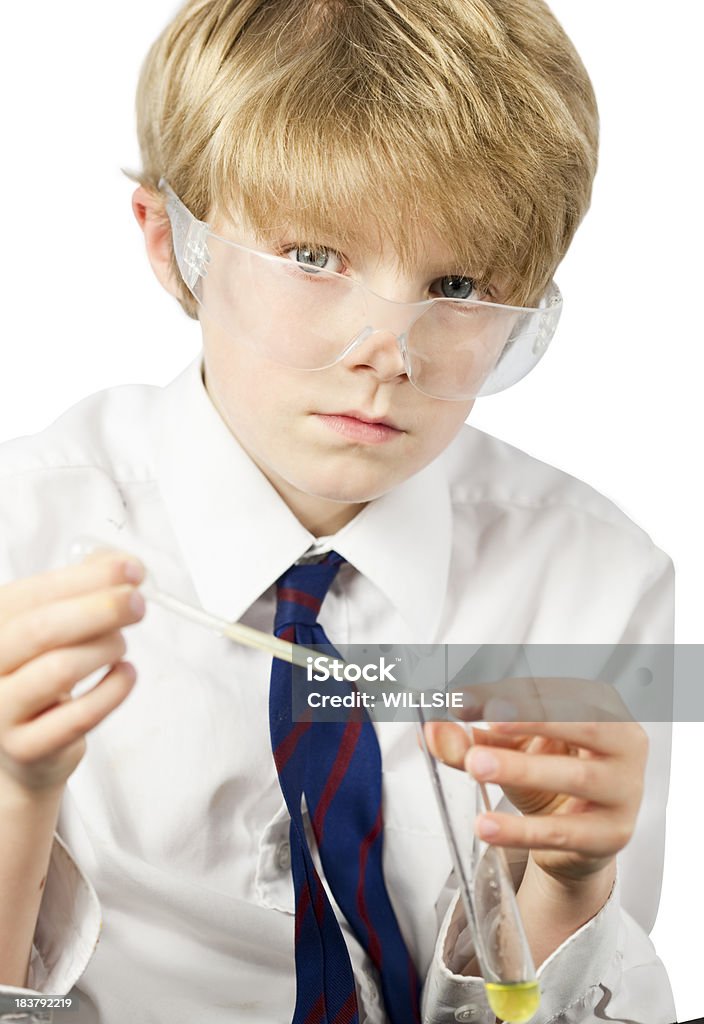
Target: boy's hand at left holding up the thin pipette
56,630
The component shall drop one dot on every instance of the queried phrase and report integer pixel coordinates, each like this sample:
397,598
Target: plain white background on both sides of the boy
615,403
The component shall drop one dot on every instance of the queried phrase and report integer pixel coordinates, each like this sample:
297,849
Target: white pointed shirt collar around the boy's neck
238,536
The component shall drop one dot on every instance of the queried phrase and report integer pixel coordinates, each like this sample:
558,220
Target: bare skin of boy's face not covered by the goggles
305,430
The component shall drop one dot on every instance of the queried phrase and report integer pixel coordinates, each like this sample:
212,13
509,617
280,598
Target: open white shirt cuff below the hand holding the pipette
68,928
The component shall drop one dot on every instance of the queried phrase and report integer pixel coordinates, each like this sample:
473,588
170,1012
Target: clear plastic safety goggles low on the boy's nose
310,318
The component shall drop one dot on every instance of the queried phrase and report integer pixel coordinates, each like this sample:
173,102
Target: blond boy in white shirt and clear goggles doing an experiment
390,154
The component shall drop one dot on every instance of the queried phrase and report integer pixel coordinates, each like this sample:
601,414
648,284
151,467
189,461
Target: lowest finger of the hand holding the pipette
71,720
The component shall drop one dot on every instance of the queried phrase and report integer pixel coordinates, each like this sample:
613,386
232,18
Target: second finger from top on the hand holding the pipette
67,623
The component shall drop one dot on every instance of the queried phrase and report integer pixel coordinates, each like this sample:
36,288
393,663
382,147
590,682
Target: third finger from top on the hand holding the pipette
42,682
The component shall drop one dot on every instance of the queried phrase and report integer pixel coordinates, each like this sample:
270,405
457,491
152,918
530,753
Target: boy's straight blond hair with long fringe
475,118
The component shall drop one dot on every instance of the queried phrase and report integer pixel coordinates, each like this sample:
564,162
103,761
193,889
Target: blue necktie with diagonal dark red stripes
338,766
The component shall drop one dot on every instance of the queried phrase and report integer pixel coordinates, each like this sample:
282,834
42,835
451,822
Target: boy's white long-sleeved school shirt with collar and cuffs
169,895
